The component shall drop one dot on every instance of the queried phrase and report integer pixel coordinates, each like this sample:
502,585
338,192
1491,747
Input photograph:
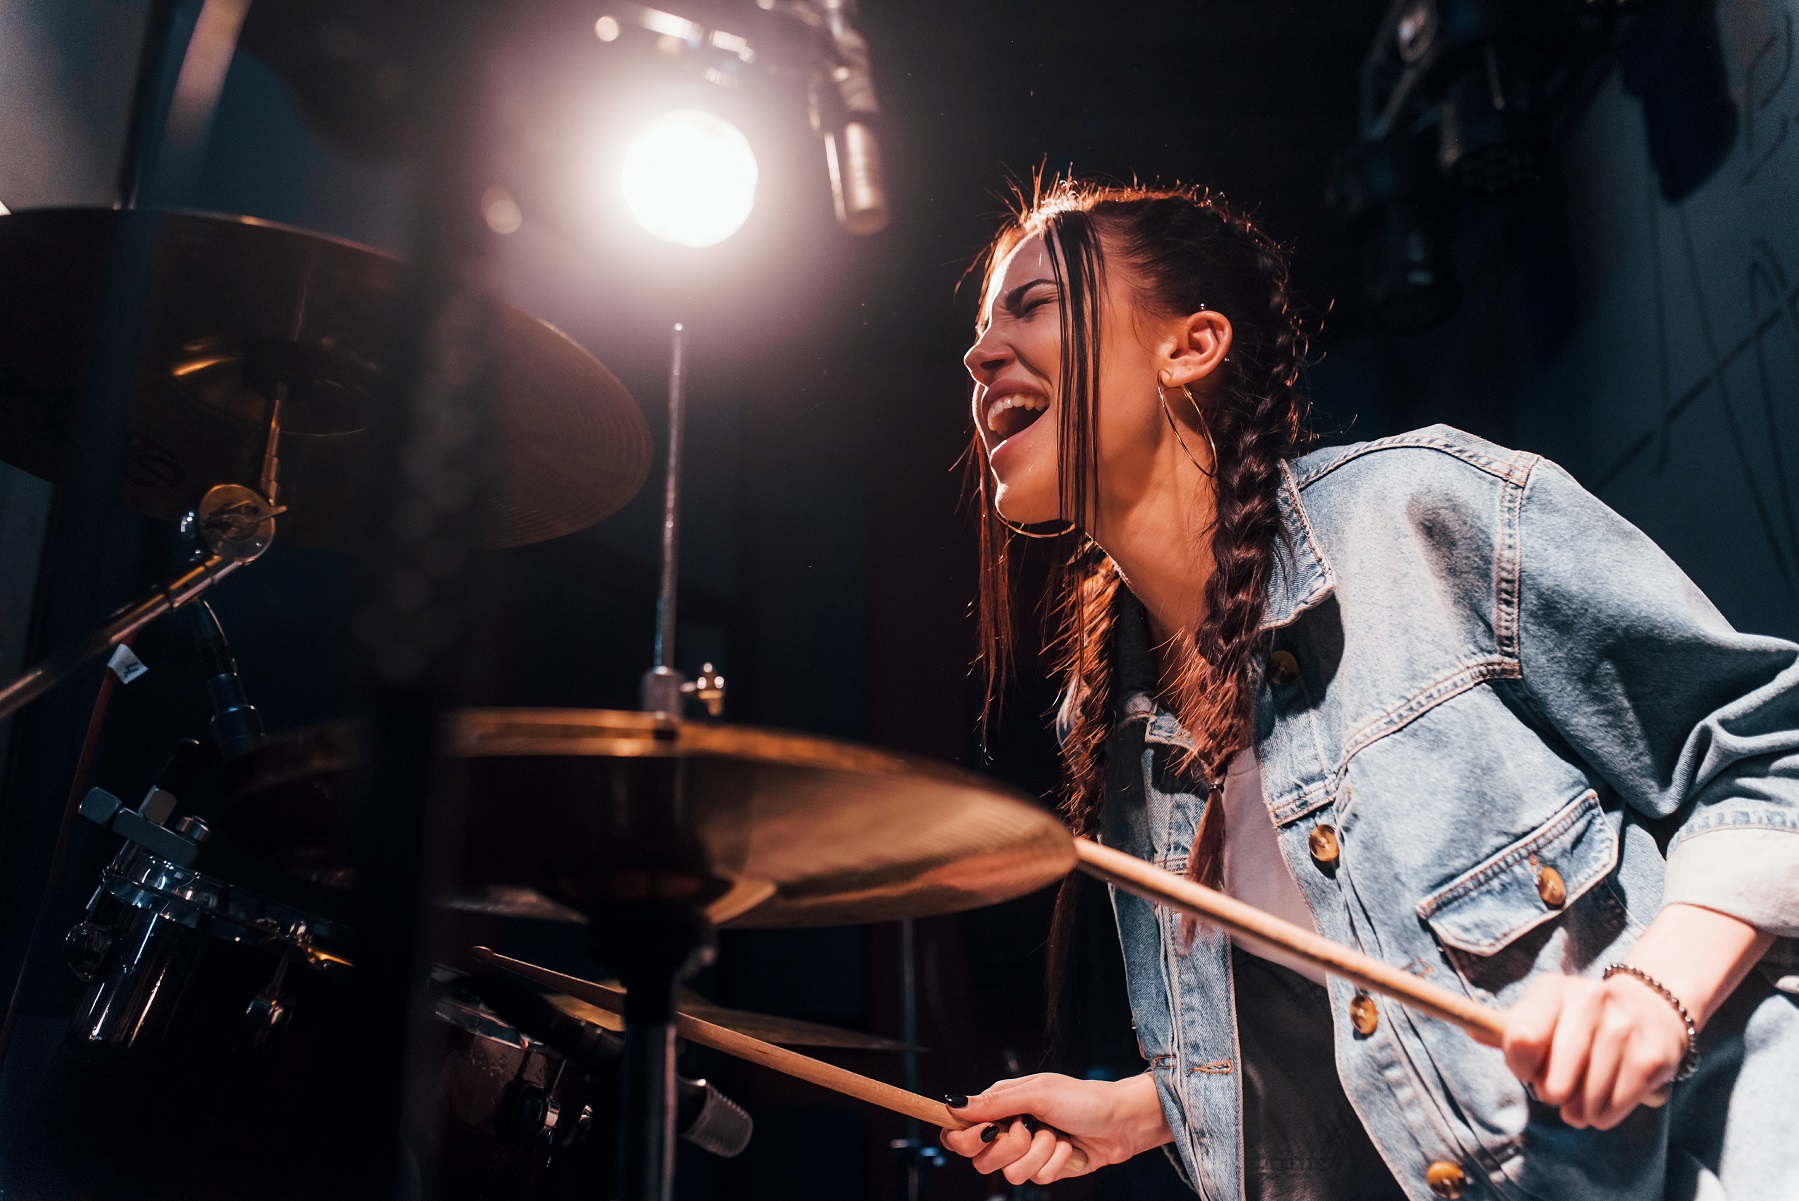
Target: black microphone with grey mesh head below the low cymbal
704,1116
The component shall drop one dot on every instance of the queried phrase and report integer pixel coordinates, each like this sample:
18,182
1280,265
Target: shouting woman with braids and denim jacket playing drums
1422,695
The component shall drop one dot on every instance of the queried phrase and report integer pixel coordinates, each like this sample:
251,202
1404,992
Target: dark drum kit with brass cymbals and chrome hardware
222,930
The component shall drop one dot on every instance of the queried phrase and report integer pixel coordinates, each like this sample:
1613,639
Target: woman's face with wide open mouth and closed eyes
1017,362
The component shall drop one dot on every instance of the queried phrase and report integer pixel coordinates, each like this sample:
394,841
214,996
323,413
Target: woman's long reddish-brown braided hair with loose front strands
1188,251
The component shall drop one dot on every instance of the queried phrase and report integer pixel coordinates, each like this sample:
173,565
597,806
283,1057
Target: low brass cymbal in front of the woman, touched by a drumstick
598,808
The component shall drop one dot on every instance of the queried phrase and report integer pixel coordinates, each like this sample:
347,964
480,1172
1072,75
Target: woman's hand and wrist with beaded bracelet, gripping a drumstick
1598,1047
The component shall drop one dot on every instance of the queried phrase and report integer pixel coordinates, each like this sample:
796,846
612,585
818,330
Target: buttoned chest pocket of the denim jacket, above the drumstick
1543,903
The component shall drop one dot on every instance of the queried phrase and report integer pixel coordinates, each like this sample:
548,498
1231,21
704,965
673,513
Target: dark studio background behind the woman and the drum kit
828,562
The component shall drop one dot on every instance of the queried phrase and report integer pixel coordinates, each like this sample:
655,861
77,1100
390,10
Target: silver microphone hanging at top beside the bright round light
846,120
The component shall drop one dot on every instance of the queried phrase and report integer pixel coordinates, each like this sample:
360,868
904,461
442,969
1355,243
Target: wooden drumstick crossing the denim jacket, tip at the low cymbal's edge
1258,927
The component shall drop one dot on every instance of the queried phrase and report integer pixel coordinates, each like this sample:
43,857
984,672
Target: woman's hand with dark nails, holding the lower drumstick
1109,1121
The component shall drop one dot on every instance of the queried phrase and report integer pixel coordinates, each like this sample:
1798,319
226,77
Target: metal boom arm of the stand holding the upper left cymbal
229,528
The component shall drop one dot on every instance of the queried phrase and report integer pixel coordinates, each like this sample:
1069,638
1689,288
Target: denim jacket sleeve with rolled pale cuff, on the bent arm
1681,715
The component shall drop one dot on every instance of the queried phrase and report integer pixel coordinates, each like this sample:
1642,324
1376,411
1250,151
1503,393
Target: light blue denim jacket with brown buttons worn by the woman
1498,675
